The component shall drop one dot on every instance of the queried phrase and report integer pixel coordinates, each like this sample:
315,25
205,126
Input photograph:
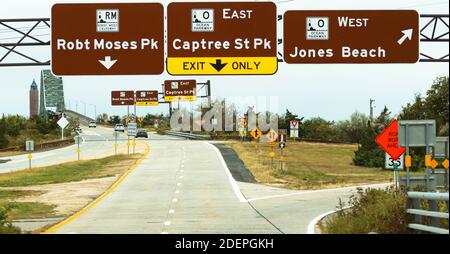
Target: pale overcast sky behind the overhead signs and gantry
331,91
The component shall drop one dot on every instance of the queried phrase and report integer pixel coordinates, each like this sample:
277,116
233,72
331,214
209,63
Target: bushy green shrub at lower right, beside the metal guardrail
372,210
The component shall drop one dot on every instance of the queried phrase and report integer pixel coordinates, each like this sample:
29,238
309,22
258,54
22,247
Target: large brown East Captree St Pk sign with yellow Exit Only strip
220,38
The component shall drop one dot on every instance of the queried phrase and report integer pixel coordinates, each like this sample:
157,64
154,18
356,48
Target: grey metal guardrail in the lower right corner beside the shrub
433,211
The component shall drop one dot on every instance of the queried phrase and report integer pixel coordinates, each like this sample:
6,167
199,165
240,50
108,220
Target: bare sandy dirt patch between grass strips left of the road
68,197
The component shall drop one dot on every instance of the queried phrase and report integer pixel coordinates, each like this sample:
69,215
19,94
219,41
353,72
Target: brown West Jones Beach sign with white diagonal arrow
363,36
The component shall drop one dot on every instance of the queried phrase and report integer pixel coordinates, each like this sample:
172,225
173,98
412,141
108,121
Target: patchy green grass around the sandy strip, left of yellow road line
12,185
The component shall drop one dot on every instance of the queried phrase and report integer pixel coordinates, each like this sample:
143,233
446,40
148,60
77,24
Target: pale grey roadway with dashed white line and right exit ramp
185,186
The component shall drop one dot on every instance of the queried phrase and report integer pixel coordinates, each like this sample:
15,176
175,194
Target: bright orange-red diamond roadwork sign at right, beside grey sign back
388,141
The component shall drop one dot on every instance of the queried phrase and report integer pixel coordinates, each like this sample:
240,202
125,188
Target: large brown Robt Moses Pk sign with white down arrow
107,39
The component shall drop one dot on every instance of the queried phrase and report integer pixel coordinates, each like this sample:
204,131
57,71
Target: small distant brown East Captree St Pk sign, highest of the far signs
180,90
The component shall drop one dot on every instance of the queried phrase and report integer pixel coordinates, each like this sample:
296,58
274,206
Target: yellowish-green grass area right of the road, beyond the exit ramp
307,165
